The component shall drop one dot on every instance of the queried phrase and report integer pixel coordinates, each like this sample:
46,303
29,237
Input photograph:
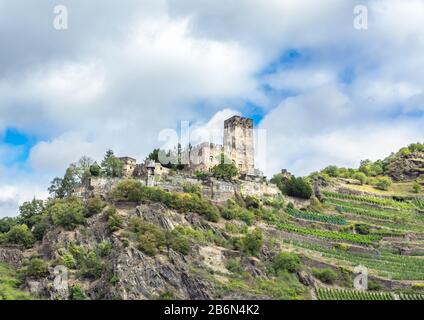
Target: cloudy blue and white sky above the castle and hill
324,91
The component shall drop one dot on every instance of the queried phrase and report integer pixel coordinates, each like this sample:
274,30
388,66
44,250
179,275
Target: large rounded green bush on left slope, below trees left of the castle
67,213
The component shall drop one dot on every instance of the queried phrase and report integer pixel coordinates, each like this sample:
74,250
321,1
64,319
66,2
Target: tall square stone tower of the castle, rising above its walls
238,143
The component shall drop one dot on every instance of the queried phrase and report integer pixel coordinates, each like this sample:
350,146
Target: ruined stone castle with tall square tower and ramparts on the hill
238,149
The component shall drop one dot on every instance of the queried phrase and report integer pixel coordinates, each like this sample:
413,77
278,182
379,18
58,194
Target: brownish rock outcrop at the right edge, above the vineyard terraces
407,167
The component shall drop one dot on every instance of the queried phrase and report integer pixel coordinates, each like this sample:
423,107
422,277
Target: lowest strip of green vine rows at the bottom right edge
335,294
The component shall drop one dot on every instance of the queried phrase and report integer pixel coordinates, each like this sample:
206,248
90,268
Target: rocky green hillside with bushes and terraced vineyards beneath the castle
215,236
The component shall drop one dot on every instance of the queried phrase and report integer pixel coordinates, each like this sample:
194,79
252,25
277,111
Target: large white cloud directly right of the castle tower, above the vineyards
309,132
